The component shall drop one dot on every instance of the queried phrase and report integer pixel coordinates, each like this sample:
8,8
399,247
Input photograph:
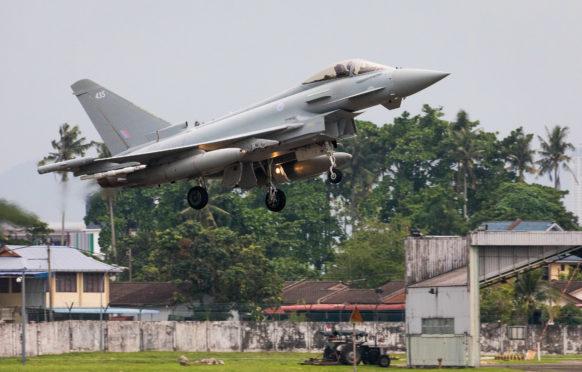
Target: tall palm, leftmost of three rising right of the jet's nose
466,151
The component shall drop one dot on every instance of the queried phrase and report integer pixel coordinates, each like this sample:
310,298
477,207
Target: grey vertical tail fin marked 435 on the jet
120,123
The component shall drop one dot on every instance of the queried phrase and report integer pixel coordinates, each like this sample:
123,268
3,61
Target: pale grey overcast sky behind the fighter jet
512,63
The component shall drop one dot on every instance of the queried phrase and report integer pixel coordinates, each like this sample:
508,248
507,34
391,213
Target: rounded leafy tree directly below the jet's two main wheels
215,262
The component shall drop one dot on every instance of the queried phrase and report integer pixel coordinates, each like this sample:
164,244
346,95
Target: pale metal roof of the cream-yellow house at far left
34,258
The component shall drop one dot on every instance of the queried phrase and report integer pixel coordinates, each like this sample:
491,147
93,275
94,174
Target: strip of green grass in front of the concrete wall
168,361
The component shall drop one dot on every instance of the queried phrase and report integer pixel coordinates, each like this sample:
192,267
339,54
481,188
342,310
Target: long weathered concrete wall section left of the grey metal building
80,335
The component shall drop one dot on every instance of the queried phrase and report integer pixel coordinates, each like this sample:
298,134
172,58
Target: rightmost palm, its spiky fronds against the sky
553,152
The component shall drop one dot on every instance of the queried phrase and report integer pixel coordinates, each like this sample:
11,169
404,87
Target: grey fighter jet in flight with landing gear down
287,137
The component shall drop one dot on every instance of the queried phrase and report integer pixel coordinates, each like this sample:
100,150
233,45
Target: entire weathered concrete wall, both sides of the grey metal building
125,336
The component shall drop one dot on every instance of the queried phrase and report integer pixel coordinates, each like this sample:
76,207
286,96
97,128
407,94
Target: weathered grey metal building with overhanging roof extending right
443,278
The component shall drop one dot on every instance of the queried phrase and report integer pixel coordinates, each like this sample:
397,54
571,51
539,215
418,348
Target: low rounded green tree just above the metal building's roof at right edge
526,202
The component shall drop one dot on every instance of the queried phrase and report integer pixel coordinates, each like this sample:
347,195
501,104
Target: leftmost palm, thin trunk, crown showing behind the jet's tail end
69,145
